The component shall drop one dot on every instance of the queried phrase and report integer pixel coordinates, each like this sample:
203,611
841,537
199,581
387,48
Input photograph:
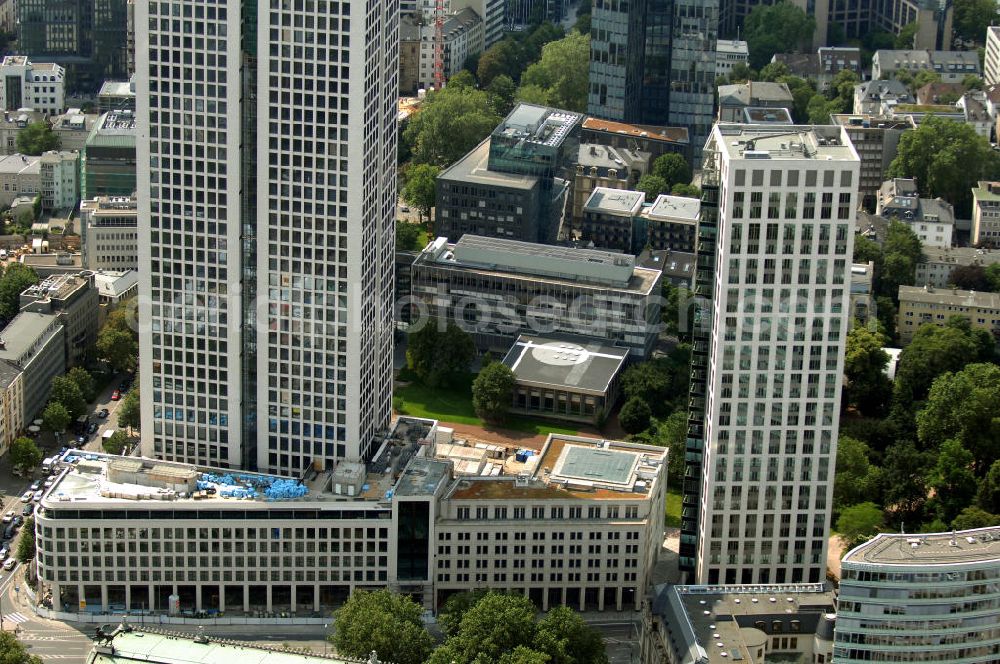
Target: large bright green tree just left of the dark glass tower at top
559,78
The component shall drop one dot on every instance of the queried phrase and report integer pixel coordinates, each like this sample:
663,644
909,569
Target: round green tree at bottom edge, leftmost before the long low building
382,621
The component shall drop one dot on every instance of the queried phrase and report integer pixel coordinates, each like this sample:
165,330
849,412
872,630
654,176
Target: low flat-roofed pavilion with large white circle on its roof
561,378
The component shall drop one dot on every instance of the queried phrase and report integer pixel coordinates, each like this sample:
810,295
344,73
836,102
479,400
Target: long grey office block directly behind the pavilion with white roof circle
498,289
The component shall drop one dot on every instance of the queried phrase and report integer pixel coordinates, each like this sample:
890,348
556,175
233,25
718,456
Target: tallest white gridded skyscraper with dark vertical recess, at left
267,189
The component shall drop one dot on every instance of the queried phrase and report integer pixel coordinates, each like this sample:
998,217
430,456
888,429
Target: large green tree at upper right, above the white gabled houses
947,159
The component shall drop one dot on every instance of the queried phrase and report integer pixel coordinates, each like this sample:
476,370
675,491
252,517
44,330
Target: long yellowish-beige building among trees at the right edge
926,304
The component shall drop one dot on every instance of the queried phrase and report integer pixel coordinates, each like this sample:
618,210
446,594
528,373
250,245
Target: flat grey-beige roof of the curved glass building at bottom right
962,547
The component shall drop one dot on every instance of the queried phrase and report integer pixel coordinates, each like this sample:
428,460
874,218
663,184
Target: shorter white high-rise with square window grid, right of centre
779,311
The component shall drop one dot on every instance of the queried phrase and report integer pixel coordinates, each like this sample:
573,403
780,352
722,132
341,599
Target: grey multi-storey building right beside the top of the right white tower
876,141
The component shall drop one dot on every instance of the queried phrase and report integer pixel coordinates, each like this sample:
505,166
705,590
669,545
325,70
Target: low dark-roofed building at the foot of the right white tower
752,624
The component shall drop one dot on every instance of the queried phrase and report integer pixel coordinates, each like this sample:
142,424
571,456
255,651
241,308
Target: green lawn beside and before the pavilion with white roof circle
453,403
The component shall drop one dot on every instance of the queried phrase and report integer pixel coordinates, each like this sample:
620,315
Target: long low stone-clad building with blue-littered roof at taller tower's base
580,523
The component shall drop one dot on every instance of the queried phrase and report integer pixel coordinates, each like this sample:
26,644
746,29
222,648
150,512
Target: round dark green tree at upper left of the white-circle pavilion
435,355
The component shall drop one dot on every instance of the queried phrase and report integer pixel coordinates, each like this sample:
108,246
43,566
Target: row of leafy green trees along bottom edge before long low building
479,626
